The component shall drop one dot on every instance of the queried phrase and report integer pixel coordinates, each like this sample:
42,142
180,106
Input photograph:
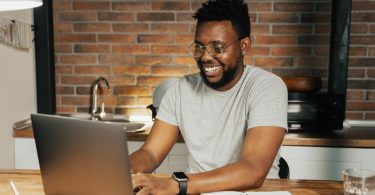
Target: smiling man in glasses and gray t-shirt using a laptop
232,116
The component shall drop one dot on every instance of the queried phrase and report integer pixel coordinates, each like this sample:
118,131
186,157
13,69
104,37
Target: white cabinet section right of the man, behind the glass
326,162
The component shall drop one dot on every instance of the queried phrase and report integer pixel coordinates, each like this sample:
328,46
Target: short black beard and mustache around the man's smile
228,75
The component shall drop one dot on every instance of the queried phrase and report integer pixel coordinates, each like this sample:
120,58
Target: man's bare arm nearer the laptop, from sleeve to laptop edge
157,146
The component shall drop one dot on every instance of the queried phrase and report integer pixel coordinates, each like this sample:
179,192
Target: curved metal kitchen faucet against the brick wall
94,105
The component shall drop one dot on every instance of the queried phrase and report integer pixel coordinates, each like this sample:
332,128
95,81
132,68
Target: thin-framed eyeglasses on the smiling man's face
214,48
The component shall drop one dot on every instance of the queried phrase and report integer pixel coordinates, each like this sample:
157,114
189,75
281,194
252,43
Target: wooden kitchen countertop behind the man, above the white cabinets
363,137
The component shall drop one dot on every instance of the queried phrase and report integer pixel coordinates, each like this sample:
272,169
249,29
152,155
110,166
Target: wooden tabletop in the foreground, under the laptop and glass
29,182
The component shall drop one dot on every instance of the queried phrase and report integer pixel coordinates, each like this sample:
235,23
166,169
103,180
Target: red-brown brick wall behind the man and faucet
138,44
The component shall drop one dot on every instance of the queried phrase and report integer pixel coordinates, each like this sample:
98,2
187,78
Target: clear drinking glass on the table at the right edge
359,182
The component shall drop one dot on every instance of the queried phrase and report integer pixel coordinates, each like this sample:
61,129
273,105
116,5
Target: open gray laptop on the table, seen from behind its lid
81,156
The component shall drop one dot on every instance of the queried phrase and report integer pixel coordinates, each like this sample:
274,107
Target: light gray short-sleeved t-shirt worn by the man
214,124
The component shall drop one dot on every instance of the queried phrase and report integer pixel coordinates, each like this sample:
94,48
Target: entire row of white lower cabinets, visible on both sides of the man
305,162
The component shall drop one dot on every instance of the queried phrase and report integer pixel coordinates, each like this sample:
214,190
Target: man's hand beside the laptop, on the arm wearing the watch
149,184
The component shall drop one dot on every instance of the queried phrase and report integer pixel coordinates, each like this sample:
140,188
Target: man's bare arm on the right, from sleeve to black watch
260,147
